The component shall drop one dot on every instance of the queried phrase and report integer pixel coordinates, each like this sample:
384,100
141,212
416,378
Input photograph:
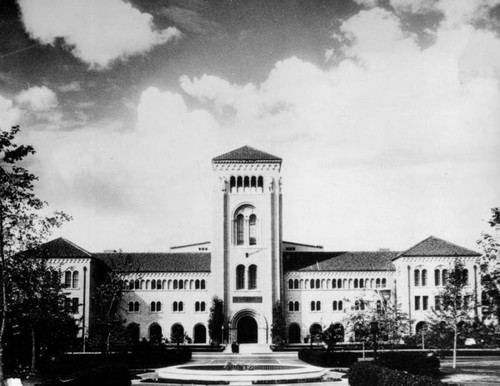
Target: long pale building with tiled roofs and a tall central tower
250,267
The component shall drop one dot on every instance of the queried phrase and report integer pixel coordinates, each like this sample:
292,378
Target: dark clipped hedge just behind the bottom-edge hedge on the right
419,363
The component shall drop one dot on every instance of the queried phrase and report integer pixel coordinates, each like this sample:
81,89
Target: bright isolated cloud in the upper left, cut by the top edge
96,31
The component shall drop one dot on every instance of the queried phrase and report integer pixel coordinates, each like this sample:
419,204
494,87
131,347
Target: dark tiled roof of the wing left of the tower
156,262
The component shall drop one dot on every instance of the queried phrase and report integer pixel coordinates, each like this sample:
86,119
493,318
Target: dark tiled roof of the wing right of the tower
339,261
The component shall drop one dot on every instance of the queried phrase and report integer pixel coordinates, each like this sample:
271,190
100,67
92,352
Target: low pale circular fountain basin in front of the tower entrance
234,373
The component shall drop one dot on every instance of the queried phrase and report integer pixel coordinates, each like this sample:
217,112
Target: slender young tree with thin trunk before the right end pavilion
454,310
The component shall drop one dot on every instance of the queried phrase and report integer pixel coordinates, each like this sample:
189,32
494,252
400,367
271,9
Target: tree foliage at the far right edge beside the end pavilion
490,267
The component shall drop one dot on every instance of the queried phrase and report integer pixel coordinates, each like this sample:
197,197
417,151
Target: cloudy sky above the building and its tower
386,114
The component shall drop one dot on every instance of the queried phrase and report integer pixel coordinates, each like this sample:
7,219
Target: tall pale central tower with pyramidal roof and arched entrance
246,257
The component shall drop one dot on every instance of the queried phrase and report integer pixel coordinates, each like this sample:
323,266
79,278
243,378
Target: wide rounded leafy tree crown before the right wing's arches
393,324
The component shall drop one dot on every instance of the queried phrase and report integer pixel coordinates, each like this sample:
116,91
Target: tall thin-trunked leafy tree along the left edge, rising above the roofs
21,225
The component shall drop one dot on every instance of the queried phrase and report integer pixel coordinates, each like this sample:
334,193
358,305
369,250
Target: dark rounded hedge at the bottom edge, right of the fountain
369,374
